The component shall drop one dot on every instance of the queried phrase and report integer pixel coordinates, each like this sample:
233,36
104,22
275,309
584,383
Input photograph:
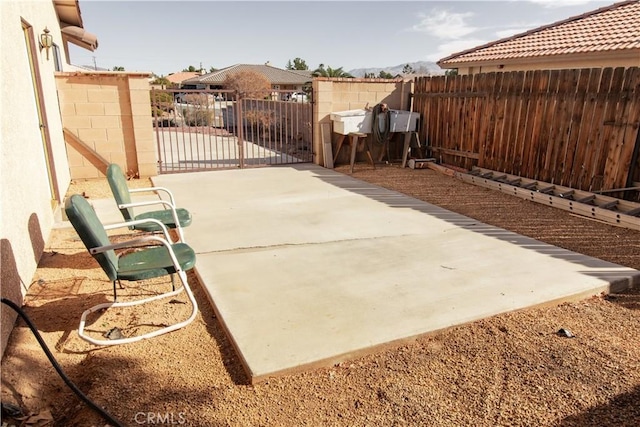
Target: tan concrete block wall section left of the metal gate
110,113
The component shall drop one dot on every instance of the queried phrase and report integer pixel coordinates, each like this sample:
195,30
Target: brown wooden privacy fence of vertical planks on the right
577,128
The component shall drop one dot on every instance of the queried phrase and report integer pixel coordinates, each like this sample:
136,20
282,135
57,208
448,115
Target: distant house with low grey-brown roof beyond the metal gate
280,79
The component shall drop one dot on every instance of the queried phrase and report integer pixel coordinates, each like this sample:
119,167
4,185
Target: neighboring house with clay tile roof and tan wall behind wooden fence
606,37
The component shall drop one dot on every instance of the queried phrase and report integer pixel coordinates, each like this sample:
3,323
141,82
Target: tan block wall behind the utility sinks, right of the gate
341,94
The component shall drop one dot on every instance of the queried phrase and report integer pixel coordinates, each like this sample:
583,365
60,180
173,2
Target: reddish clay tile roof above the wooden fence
615,27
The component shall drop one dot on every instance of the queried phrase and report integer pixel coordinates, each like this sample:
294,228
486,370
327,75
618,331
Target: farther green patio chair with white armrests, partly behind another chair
171,216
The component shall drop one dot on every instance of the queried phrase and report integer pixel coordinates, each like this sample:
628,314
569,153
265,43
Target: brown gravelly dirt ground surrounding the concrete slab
512,369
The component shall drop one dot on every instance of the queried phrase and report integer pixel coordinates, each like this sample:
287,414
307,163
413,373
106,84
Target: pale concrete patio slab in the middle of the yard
307,267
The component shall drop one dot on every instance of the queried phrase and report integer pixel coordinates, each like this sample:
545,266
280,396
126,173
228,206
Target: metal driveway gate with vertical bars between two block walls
198,130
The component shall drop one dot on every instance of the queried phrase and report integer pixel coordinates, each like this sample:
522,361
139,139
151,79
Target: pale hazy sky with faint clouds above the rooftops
164,37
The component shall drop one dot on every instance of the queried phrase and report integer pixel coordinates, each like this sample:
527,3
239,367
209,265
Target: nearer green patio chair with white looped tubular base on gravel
154,256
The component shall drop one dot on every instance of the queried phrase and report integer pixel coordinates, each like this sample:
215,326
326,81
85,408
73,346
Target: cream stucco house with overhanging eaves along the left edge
34,168
